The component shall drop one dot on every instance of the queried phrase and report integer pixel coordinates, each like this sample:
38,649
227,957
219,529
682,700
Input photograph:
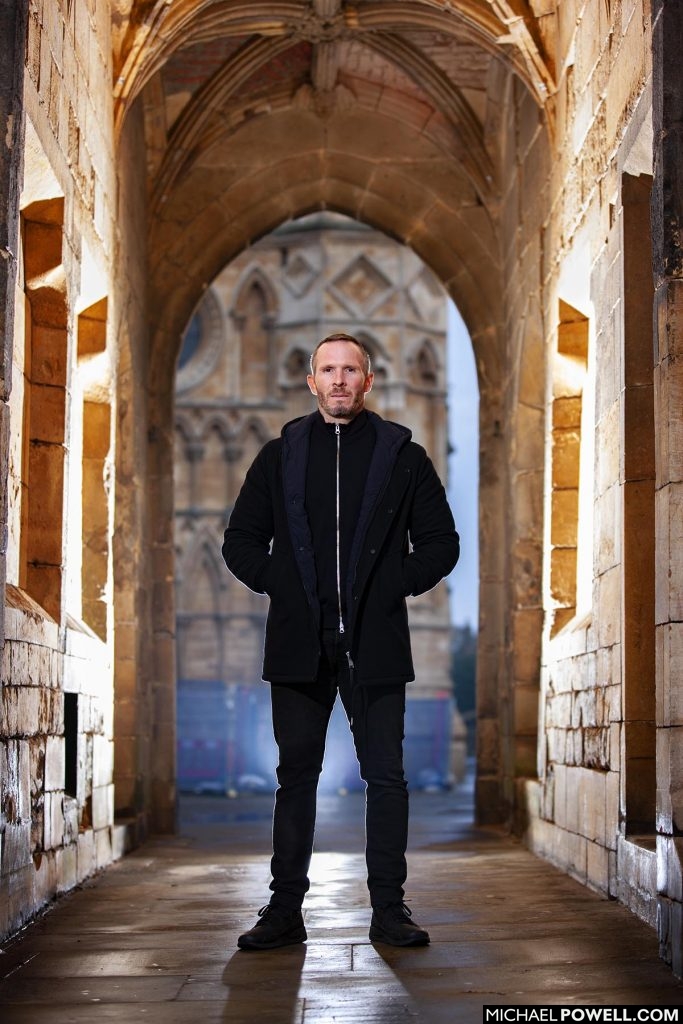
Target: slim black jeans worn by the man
301,718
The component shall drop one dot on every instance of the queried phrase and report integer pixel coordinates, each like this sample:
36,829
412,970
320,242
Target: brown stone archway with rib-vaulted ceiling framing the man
365,113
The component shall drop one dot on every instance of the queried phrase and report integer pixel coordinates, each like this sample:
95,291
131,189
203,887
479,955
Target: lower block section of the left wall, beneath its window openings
57,760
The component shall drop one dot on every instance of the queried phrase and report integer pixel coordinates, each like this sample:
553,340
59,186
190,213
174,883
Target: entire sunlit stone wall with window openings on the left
72,309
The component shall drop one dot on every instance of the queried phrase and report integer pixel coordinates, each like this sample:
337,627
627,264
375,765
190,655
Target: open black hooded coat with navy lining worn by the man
269,547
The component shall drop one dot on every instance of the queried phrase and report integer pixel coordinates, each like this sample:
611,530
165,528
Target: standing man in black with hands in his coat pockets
322,526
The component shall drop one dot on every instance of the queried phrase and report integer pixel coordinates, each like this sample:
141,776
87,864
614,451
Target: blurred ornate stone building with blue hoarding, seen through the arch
241,376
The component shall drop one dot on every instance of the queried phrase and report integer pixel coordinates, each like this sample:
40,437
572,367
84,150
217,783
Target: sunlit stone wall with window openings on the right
583,221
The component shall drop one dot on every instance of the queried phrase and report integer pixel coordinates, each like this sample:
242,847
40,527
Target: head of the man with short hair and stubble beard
339,381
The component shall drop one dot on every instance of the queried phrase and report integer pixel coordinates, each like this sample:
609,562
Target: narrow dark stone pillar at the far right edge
668,268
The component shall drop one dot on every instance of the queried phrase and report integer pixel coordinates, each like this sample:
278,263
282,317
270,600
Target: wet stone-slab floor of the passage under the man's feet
153,938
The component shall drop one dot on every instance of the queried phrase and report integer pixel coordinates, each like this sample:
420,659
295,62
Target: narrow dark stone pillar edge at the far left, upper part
13,46
